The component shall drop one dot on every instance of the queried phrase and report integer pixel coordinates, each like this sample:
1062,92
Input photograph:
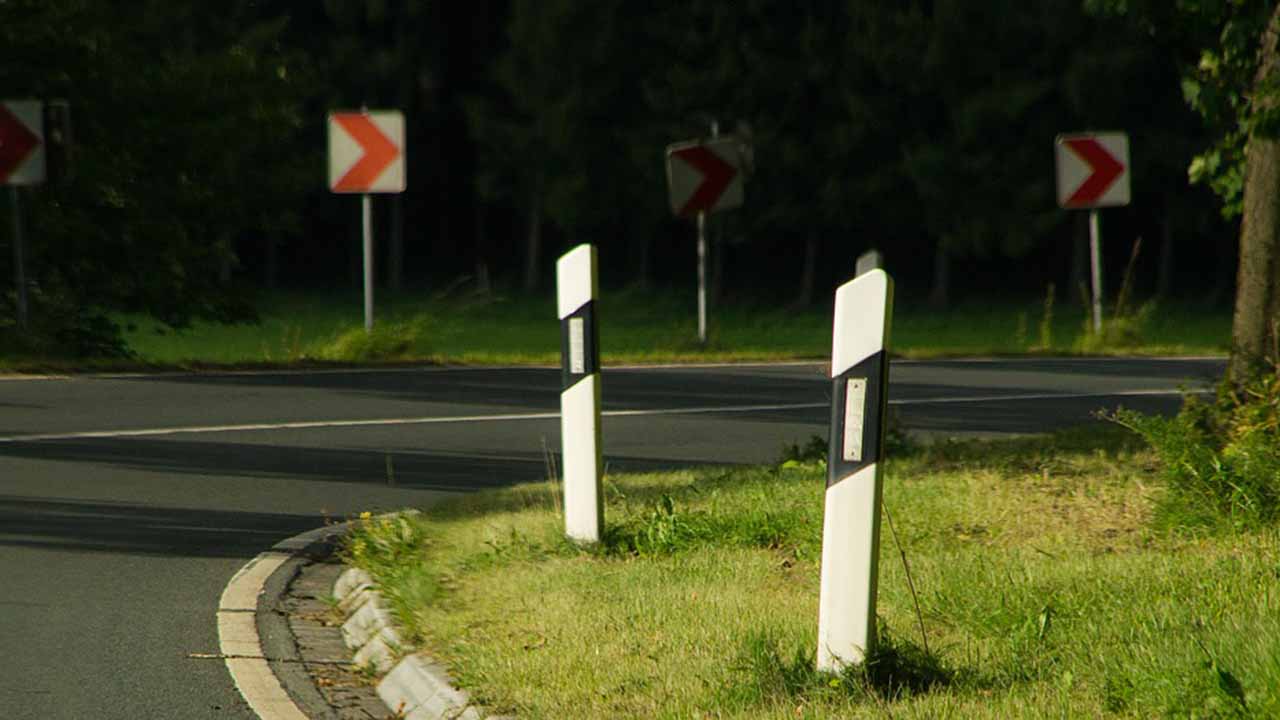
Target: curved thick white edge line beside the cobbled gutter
239,641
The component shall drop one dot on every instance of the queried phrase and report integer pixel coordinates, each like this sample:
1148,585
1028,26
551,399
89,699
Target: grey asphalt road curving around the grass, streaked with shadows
127,503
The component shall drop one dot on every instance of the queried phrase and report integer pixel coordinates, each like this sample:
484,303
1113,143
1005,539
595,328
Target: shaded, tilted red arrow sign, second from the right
705,177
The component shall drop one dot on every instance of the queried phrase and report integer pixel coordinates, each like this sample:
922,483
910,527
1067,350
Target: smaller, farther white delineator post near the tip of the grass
580,395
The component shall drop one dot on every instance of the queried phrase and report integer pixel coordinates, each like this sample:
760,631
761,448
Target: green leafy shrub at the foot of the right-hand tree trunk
1222,459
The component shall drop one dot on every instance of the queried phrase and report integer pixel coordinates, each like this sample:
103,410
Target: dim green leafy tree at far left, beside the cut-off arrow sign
184,117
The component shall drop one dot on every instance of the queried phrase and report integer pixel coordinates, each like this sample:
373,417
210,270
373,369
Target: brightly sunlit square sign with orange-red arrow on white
367,152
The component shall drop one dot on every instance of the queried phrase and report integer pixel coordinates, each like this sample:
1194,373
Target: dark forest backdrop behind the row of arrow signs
922,127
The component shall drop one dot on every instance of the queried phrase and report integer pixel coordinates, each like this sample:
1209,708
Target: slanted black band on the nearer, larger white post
870,444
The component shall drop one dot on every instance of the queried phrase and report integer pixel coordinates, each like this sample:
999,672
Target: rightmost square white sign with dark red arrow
1092,170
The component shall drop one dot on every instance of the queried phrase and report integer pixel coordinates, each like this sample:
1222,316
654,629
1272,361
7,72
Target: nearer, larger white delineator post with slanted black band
851,526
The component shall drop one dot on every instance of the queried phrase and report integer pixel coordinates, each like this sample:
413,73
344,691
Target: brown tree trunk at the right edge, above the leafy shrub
1258,286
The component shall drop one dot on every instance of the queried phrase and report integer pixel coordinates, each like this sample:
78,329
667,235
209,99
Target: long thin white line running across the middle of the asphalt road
522,417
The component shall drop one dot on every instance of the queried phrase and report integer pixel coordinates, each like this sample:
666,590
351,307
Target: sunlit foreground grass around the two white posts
1045,587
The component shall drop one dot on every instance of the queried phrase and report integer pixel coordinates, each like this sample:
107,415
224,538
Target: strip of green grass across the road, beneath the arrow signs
639,327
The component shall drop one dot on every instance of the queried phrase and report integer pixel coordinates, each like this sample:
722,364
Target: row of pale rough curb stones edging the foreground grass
414,689
